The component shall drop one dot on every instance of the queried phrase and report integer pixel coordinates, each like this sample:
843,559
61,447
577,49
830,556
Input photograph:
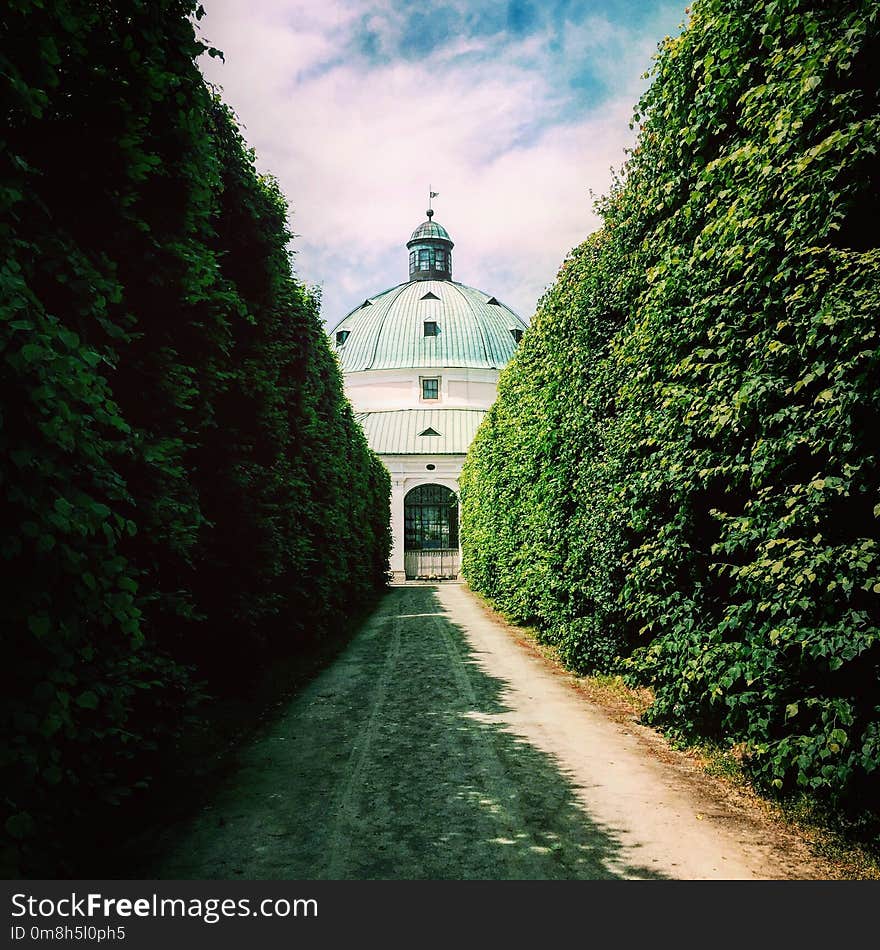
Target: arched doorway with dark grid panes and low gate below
430,515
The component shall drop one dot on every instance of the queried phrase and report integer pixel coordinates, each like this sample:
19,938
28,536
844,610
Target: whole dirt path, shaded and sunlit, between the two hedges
438,747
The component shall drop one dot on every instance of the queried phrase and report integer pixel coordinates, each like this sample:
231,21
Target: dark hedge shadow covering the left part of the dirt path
395,763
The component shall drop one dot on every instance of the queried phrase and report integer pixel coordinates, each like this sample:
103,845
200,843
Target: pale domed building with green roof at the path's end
420,363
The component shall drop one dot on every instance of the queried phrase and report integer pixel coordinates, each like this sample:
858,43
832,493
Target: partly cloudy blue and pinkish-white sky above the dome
512,111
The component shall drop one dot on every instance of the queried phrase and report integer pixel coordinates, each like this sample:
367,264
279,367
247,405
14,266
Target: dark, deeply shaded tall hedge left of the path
185,491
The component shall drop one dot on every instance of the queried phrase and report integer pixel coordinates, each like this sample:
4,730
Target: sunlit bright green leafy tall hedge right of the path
680,477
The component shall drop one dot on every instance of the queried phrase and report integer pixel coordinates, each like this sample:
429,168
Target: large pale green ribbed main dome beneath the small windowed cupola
393,329
